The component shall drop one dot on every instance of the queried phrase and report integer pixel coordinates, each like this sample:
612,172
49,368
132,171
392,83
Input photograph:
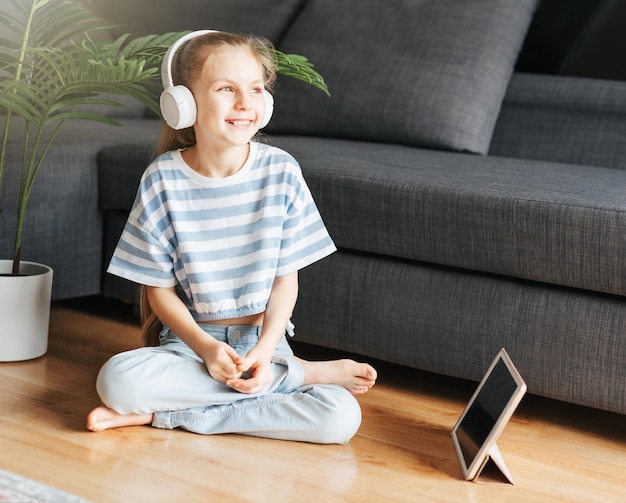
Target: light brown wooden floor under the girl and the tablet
403,452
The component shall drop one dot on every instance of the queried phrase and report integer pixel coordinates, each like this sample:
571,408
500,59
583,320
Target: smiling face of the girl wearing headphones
229,97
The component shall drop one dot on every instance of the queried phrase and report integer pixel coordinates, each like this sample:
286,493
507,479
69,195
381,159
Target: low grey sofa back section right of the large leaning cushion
572,120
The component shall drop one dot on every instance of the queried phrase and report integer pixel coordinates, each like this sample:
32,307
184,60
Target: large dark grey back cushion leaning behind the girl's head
416,72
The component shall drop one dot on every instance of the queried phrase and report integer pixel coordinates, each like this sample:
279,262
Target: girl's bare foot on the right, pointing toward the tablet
354,376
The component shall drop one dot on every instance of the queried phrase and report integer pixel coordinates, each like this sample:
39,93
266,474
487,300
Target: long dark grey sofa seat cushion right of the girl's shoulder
555,223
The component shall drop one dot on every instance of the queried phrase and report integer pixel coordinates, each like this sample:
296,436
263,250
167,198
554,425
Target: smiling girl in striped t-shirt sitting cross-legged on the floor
219,229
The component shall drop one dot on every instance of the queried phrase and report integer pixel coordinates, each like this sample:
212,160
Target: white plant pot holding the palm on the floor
24,311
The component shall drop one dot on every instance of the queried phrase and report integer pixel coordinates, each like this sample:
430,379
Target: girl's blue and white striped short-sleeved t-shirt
222,241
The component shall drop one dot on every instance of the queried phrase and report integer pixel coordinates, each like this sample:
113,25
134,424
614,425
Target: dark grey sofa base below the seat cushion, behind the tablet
565,342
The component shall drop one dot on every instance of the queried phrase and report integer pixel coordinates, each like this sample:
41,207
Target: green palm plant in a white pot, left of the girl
51,69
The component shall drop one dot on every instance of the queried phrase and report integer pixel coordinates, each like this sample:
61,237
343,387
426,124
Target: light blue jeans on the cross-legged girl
172,382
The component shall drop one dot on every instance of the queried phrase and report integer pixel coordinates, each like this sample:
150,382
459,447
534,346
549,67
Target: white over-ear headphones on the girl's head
178,105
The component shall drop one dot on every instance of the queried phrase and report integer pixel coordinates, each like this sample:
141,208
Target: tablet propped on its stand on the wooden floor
485,416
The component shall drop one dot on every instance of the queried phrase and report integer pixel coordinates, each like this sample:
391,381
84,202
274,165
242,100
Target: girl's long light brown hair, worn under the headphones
186,69
